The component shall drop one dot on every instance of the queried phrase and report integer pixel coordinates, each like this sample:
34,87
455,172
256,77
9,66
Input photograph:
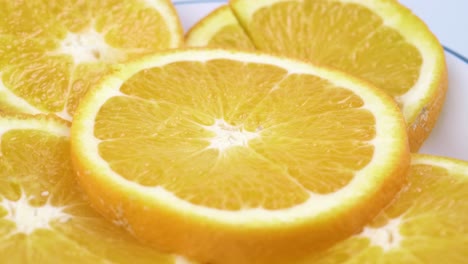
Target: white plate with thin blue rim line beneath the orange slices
450,136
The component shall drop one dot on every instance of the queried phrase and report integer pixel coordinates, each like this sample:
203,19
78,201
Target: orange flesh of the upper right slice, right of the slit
345,36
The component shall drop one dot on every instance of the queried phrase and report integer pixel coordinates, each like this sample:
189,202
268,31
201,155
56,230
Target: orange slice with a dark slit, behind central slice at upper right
379,41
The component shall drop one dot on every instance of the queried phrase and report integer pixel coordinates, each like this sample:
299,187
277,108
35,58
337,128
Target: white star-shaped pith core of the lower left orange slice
28,218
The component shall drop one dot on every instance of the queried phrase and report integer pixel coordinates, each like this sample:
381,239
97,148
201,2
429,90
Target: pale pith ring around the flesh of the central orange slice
385,145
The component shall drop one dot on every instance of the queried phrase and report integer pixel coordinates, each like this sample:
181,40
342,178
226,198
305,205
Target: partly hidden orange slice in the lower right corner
428,223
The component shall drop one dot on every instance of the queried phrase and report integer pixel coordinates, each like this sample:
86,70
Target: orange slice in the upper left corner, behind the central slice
52,51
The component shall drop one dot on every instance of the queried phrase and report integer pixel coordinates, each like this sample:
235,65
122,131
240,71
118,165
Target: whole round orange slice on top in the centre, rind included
232,157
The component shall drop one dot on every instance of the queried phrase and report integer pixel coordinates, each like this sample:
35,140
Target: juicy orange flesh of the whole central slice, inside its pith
160,137
